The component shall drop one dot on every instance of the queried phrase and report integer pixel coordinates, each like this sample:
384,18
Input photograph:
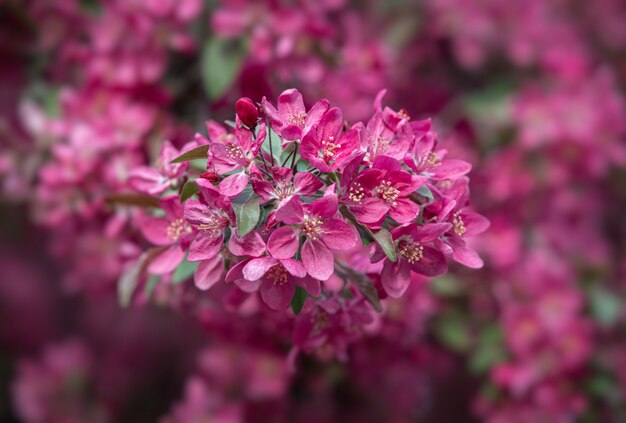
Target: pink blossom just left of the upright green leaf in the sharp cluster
209,217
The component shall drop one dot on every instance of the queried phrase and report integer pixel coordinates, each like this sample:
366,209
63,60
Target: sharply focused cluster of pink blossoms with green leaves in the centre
289,197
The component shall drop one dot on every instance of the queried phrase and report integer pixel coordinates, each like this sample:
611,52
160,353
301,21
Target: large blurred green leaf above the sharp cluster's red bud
221,63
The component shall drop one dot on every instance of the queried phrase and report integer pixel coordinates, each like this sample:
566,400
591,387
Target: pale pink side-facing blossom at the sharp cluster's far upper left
158,179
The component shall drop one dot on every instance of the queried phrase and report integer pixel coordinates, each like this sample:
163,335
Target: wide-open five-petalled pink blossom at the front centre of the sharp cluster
323,232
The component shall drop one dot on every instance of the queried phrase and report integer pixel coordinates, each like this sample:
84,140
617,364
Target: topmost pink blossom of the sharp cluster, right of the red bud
291,121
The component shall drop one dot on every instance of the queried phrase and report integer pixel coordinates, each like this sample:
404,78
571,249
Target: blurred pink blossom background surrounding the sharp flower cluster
532,93
